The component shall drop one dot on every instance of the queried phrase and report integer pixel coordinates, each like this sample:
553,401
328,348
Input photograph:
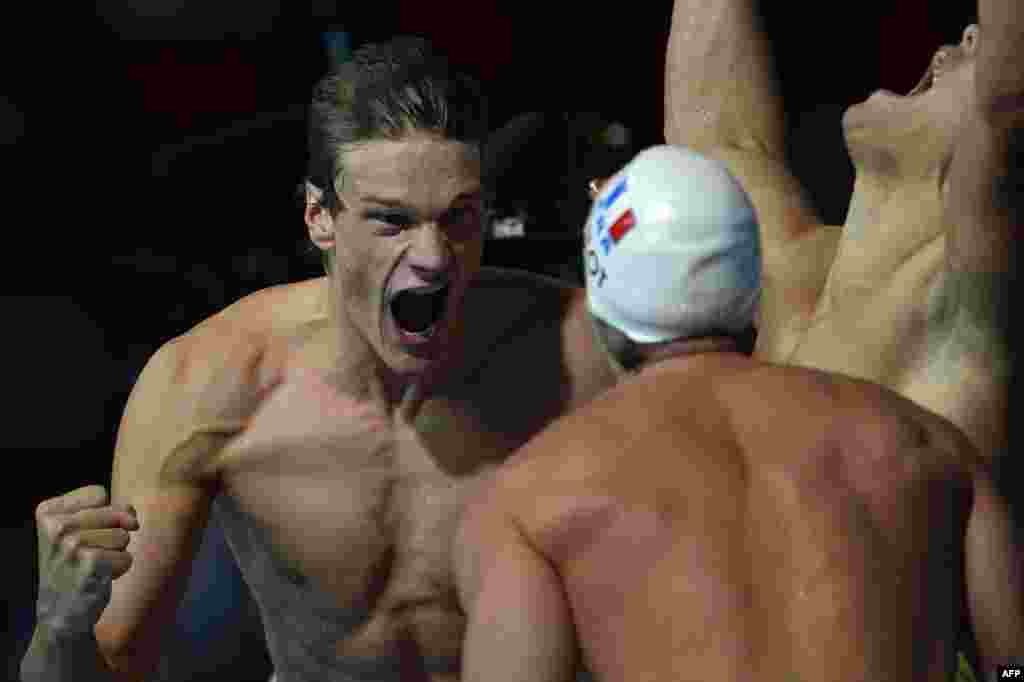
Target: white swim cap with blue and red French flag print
673,249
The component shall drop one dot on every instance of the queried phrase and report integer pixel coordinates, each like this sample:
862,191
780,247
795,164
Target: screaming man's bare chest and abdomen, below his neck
361,532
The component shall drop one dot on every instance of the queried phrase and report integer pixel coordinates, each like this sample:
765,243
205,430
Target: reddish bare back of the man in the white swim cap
705,530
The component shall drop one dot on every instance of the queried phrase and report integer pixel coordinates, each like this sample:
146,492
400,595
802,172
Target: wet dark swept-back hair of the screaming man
389,91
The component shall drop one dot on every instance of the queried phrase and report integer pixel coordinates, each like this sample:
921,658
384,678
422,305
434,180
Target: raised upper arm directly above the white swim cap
720,78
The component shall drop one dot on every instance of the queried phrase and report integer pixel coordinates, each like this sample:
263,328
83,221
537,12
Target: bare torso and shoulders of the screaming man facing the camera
345,543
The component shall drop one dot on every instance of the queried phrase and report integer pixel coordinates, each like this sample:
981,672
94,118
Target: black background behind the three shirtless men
153,150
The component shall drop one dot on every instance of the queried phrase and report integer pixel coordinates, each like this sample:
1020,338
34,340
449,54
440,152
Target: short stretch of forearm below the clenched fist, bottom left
63,658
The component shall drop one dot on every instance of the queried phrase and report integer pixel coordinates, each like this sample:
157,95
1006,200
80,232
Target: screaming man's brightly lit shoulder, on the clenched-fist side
199,389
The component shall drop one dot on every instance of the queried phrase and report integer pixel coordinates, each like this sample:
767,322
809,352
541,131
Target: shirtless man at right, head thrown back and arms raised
912,291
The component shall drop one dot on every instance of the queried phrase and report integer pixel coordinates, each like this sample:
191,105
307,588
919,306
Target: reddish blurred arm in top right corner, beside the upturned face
1000,76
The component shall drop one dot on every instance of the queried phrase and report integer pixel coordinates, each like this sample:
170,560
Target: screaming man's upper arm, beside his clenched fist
173,508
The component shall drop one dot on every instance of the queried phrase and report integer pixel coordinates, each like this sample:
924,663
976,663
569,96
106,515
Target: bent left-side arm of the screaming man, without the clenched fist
176,420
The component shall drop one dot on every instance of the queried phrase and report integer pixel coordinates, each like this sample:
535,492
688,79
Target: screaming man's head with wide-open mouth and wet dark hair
394,195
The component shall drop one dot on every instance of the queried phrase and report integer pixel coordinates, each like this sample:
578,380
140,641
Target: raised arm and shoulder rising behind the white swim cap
722,100
